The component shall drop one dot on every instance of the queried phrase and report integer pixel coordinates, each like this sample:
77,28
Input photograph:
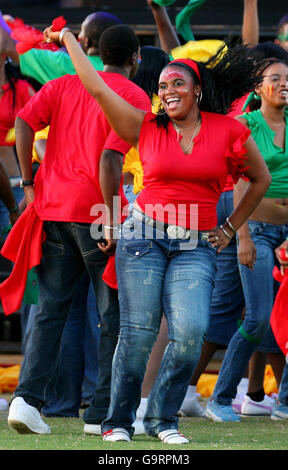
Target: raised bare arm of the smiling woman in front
124,118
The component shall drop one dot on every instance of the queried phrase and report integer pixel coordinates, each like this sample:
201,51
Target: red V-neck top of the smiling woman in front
178,180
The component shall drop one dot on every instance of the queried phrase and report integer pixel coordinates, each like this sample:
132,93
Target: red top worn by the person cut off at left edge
8,113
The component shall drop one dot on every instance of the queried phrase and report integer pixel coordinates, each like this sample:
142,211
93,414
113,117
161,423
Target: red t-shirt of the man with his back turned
67,182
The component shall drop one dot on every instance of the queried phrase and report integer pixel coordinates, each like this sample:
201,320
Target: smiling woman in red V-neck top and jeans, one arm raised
166,258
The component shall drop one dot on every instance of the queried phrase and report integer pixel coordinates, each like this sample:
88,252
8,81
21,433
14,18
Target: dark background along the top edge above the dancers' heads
214,19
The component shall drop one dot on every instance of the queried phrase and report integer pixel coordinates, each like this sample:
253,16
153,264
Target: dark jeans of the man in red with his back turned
68,251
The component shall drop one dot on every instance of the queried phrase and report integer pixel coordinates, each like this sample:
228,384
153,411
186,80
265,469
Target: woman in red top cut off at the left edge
14,94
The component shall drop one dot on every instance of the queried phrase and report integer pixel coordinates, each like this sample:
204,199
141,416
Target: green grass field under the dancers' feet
67,434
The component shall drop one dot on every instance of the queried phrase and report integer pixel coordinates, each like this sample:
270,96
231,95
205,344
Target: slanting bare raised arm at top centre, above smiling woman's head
167,34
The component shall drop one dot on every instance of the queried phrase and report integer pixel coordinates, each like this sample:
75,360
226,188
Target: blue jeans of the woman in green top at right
259,291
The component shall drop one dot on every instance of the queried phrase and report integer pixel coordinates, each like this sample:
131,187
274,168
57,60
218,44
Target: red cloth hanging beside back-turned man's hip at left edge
24,248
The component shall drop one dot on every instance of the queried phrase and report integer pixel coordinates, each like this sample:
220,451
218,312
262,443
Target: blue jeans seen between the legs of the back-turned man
75,378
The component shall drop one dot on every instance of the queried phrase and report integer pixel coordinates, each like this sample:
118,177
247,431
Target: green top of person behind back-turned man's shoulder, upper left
45,65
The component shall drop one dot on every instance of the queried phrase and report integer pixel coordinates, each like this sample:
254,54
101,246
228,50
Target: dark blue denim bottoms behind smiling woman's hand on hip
228,299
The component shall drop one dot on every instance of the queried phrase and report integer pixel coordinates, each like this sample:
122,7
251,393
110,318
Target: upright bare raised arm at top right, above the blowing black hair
250,25
